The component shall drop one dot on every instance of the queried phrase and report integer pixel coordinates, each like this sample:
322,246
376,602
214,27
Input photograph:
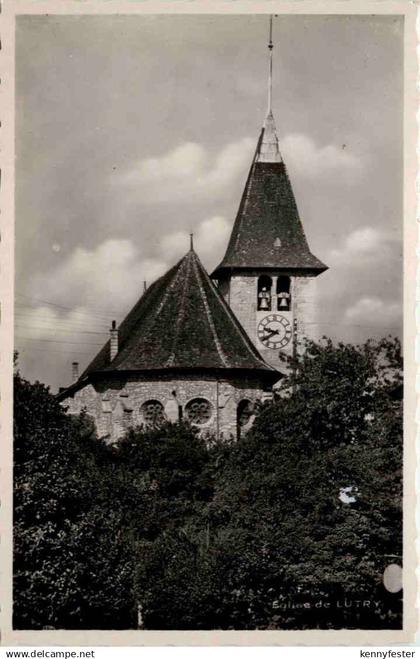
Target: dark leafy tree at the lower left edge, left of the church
72,566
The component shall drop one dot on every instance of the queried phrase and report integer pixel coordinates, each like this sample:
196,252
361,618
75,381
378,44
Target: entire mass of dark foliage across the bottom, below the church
290,527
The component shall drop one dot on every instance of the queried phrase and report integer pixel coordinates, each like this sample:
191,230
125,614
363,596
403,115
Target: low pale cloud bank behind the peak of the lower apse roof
110,277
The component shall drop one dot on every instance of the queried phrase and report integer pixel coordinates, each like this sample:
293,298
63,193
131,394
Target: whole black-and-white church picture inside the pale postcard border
208,348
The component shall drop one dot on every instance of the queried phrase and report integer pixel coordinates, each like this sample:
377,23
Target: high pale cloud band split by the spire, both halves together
189,172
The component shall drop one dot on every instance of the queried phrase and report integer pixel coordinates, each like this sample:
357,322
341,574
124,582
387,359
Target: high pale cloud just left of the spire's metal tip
187,172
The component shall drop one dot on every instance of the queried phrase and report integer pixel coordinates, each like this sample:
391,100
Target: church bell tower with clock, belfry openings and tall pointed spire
268,273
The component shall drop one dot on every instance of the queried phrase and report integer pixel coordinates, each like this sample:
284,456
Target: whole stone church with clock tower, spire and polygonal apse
208,348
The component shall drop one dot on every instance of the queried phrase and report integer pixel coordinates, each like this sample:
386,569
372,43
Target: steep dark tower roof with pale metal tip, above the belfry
268,232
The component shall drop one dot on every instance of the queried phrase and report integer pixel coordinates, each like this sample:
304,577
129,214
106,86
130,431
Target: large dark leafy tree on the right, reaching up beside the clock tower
305,510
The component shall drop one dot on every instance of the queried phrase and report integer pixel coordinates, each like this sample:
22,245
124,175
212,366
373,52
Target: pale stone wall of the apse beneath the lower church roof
116,404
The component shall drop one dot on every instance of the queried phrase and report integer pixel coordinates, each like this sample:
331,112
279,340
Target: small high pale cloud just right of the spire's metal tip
305,158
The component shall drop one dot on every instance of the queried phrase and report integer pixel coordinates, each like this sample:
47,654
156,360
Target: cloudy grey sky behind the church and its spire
133,131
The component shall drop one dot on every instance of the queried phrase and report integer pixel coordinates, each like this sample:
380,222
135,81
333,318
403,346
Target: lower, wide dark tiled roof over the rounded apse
181,322
